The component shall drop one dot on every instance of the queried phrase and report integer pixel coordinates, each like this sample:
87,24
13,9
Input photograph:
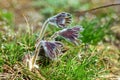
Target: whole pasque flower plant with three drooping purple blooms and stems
53,48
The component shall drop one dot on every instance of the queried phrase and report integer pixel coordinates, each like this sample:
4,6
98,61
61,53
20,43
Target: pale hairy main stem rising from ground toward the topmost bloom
37,49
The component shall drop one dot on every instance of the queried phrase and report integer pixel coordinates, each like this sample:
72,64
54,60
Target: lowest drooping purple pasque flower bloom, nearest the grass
52,48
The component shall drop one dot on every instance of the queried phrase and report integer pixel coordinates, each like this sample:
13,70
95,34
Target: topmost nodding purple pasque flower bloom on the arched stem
61,20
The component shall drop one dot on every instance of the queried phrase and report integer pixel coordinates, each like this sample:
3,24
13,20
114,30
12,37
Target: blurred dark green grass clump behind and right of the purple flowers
94,30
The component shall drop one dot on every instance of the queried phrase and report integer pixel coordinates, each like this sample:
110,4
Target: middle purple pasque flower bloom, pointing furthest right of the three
71,34
